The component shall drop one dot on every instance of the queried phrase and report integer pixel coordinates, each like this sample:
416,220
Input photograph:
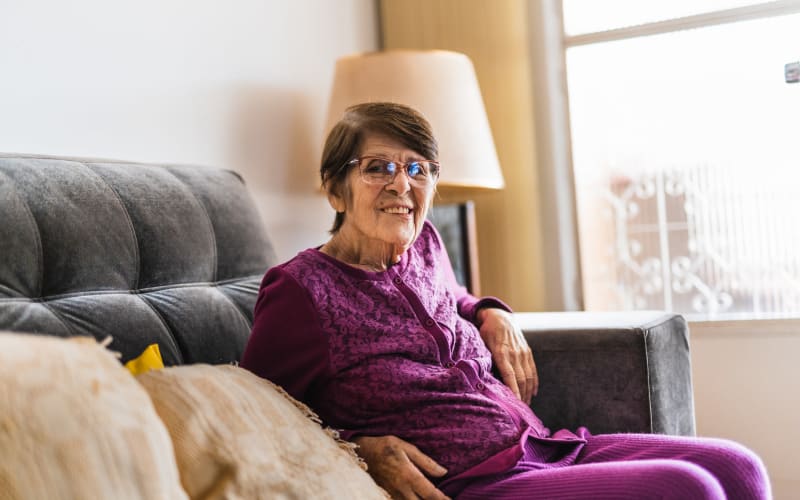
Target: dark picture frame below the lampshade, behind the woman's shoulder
456,224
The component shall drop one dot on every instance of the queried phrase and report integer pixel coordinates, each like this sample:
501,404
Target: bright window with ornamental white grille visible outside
684,153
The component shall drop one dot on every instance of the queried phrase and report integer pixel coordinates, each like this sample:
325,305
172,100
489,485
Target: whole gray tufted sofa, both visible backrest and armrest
175,255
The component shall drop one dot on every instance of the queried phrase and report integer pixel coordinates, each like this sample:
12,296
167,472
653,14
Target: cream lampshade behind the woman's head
443,87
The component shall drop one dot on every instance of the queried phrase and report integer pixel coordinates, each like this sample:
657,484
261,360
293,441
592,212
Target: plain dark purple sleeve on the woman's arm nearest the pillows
287,345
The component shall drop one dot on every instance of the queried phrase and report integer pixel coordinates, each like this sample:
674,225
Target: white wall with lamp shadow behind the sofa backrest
241,84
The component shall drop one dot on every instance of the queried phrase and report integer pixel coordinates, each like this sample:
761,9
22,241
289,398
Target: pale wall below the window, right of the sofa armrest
747,388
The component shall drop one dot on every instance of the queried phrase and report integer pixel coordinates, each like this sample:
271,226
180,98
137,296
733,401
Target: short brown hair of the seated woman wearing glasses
395,121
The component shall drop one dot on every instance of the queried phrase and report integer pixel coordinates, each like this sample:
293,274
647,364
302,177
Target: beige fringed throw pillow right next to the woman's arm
238,436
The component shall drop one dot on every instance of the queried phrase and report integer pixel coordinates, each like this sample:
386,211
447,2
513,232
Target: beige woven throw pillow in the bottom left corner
74,424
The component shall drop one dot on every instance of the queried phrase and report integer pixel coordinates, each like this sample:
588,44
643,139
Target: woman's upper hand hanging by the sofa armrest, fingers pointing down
510,352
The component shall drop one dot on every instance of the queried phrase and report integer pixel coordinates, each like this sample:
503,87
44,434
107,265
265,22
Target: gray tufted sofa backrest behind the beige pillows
144,253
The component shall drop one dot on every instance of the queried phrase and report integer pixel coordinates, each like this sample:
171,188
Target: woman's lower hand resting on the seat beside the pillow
399,467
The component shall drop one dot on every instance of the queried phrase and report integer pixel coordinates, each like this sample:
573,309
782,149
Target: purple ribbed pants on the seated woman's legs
628,466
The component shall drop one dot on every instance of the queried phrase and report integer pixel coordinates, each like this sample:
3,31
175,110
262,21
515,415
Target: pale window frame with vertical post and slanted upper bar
549,44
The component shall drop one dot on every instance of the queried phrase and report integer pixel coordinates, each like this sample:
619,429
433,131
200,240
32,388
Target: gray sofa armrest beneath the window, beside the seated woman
612,372
